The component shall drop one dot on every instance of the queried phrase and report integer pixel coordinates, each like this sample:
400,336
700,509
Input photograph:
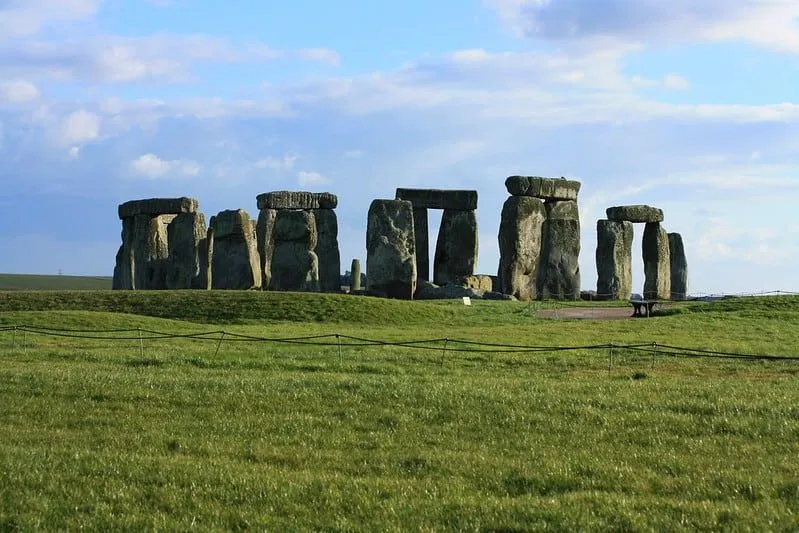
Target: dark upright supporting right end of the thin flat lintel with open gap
457,247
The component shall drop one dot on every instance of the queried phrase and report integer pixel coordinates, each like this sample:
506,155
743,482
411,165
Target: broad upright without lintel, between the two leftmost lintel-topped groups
236,264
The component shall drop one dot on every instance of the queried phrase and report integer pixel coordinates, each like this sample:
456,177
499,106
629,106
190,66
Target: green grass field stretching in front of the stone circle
171,434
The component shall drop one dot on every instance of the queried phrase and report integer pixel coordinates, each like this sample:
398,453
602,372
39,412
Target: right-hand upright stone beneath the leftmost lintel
185,233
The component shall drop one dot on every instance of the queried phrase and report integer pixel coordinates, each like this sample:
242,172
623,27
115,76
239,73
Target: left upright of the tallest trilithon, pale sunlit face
520,236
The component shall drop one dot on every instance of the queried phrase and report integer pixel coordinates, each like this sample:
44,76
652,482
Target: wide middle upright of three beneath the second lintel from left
295,265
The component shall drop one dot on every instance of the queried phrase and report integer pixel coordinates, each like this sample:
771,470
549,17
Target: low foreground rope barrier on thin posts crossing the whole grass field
338,340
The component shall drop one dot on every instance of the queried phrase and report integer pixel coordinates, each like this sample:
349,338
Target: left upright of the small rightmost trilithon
614,248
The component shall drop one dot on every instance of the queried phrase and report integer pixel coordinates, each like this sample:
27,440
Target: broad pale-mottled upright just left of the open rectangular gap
391,249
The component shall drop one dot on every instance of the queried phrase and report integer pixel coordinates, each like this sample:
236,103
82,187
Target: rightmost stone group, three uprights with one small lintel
665,277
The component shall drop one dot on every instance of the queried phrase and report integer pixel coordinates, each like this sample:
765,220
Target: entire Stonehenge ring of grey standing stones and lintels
293,246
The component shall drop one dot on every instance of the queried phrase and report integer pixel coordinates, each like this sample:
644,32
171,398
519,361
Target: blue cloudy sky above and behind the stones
688,105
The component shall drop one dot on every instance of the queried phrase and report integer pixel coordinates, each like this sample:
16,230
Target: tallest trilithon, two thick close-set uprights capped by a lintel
539,239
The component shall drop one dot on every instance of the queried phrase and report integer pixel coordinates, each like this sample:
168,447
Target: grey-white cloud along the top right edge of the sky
615,23
